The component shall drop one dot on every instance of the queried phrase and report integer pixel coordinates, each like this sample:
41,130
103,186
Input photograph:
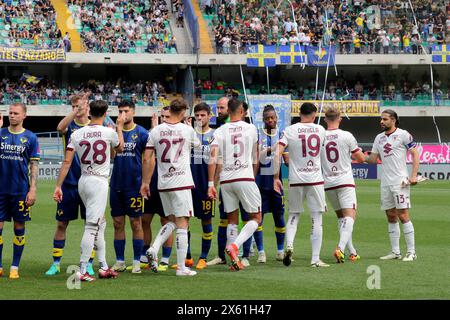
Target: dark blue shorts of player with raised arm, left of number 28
71,204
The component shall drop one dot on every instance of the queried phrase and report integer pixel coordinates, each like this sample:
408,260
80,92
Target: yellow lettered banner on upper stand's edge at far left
30,55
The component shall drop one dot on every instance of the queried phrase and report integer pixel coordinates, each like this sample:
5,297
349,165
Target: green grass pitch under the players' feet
426,278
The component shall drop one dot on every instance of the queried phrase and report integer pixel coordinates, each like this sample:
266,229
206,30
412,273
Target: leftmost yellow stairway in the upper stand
66,23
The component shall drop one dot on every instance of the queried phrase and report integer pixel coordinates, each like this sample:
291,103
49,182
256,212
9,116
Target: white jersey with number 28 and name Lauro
93,144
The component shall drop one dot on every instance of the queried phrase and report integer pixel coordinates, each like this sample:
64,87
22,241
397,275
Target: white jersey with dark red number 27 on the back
173,143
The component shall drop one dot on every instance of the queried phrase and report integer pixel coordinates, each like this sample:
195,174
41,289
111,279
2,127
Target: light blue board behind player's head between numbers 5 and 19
281,103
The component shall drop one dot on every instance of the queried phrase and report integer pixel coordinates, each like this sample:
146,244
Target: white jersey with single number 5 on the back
235,141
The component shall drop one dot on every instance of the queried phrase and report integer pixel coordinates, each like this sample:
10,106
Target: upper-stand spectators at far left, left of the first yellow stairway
27,23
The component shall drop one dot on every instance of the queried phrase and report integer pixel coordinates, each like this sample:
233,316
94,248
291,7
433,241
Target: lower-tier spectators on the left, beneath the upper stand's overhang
146,93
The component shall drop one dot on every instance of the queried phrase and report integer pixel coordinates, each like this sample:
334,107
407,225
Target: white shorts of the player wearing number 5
246,192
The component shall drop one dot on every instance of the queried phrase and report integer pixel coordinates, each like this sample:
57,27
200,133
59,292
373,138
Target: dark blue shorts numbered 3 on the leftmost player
15,207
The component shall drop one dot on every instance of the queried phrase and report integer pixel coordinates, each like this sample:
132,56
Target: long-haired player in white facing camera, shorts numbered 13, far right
391,147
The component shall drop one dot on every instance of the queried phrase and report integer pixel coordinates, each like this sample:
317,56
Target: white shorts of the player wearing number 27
177,203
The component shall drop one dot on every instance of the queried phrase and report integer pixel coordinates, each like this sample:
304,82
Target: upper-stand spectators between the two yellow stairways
124,26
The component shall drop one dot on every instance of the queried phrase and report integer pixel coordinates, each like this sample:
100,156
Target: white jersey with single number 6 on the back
337,159
